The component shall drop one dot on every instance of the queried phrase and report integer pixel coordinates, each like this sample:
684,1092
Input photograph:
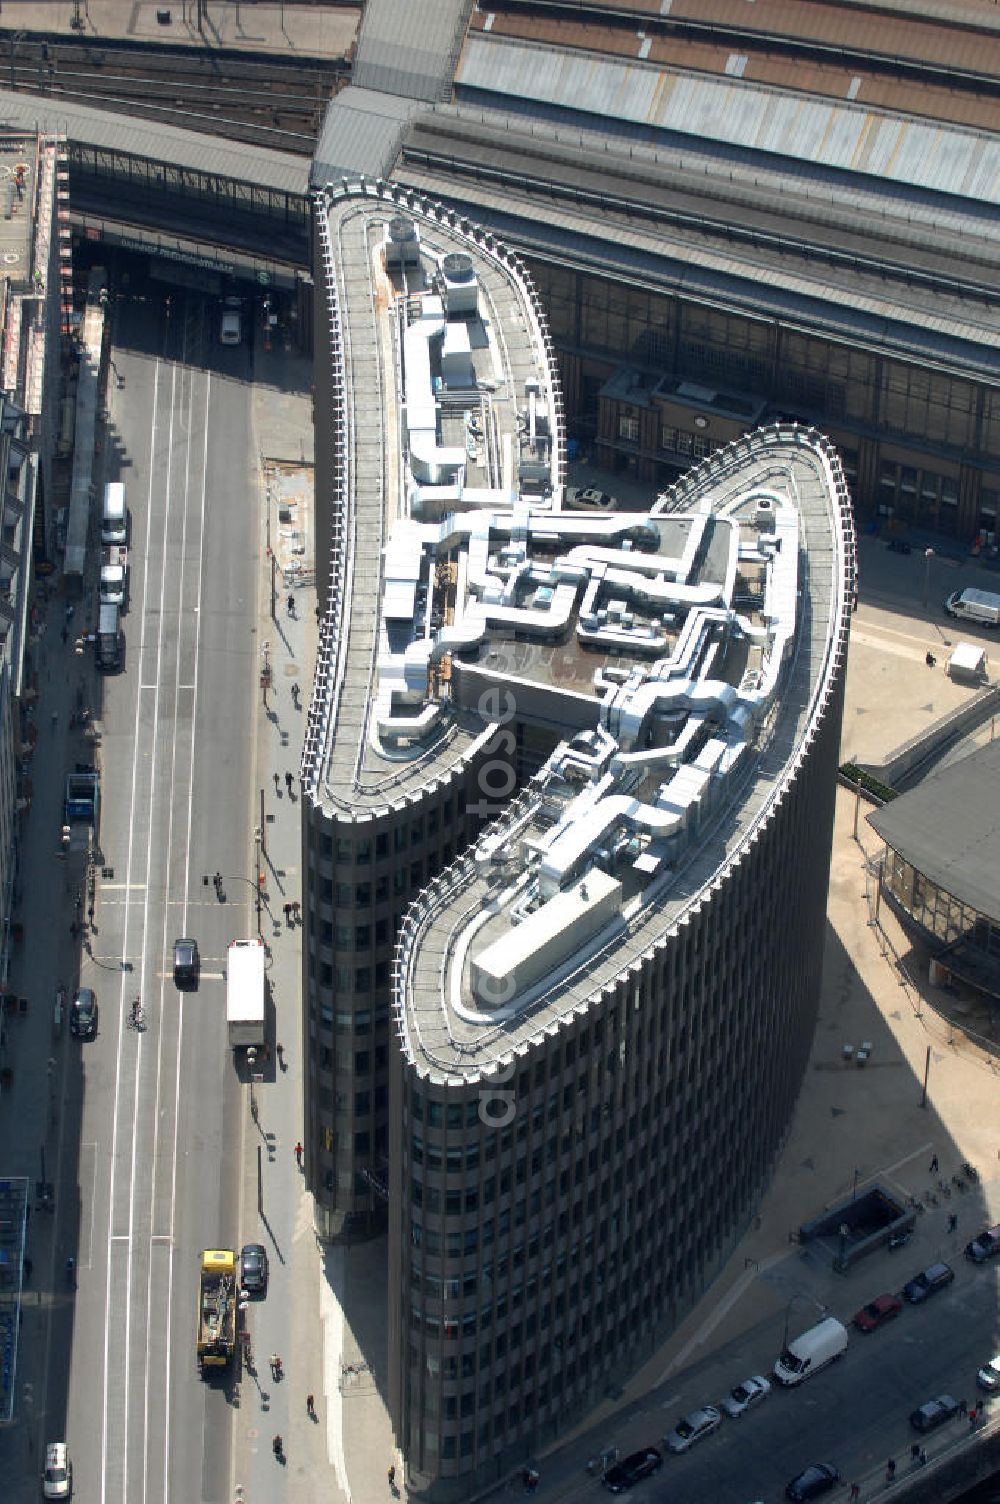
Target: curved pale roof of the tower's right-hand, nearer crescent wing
435,950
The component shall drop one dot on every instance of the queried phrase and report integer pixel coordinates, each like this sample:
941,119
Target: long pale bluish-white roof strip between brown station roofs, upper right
844,136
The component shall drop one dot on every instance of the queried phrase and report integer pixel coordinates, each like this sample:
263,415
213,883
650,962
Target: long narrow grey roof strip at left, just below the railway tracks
156,142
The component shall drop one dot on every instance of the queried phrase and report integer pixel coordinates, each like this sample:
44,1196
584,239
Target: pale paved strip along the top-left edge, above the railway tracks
249,26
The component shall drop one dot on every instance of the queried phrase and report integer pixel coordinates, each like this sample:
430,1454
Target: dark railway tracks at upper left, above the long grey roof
256,100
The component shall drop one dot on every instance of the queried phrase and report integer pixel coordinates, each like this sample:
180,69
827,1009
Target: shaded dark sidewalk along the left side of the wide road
41,1099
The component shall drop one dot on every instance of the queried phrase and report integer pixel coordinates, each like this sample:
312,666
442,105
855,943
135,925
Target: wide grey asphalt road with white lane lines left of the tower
159,1126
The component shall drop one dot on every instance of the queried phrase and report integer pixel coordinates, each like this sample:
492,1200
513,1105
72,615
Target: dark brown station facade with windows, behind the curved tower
655,381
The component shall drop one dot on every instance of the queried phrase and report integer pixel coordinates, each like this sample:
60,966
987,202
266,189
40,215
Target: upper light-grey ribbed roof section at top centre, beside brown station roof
410,49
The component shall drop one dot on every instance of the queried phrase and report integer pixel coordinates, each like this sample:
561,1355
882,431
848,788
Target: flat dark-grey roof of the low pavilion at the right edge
950,829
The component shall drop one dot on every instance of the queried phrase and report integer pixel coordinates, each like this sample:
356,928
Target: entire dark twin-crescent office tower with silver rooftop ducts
569,783
